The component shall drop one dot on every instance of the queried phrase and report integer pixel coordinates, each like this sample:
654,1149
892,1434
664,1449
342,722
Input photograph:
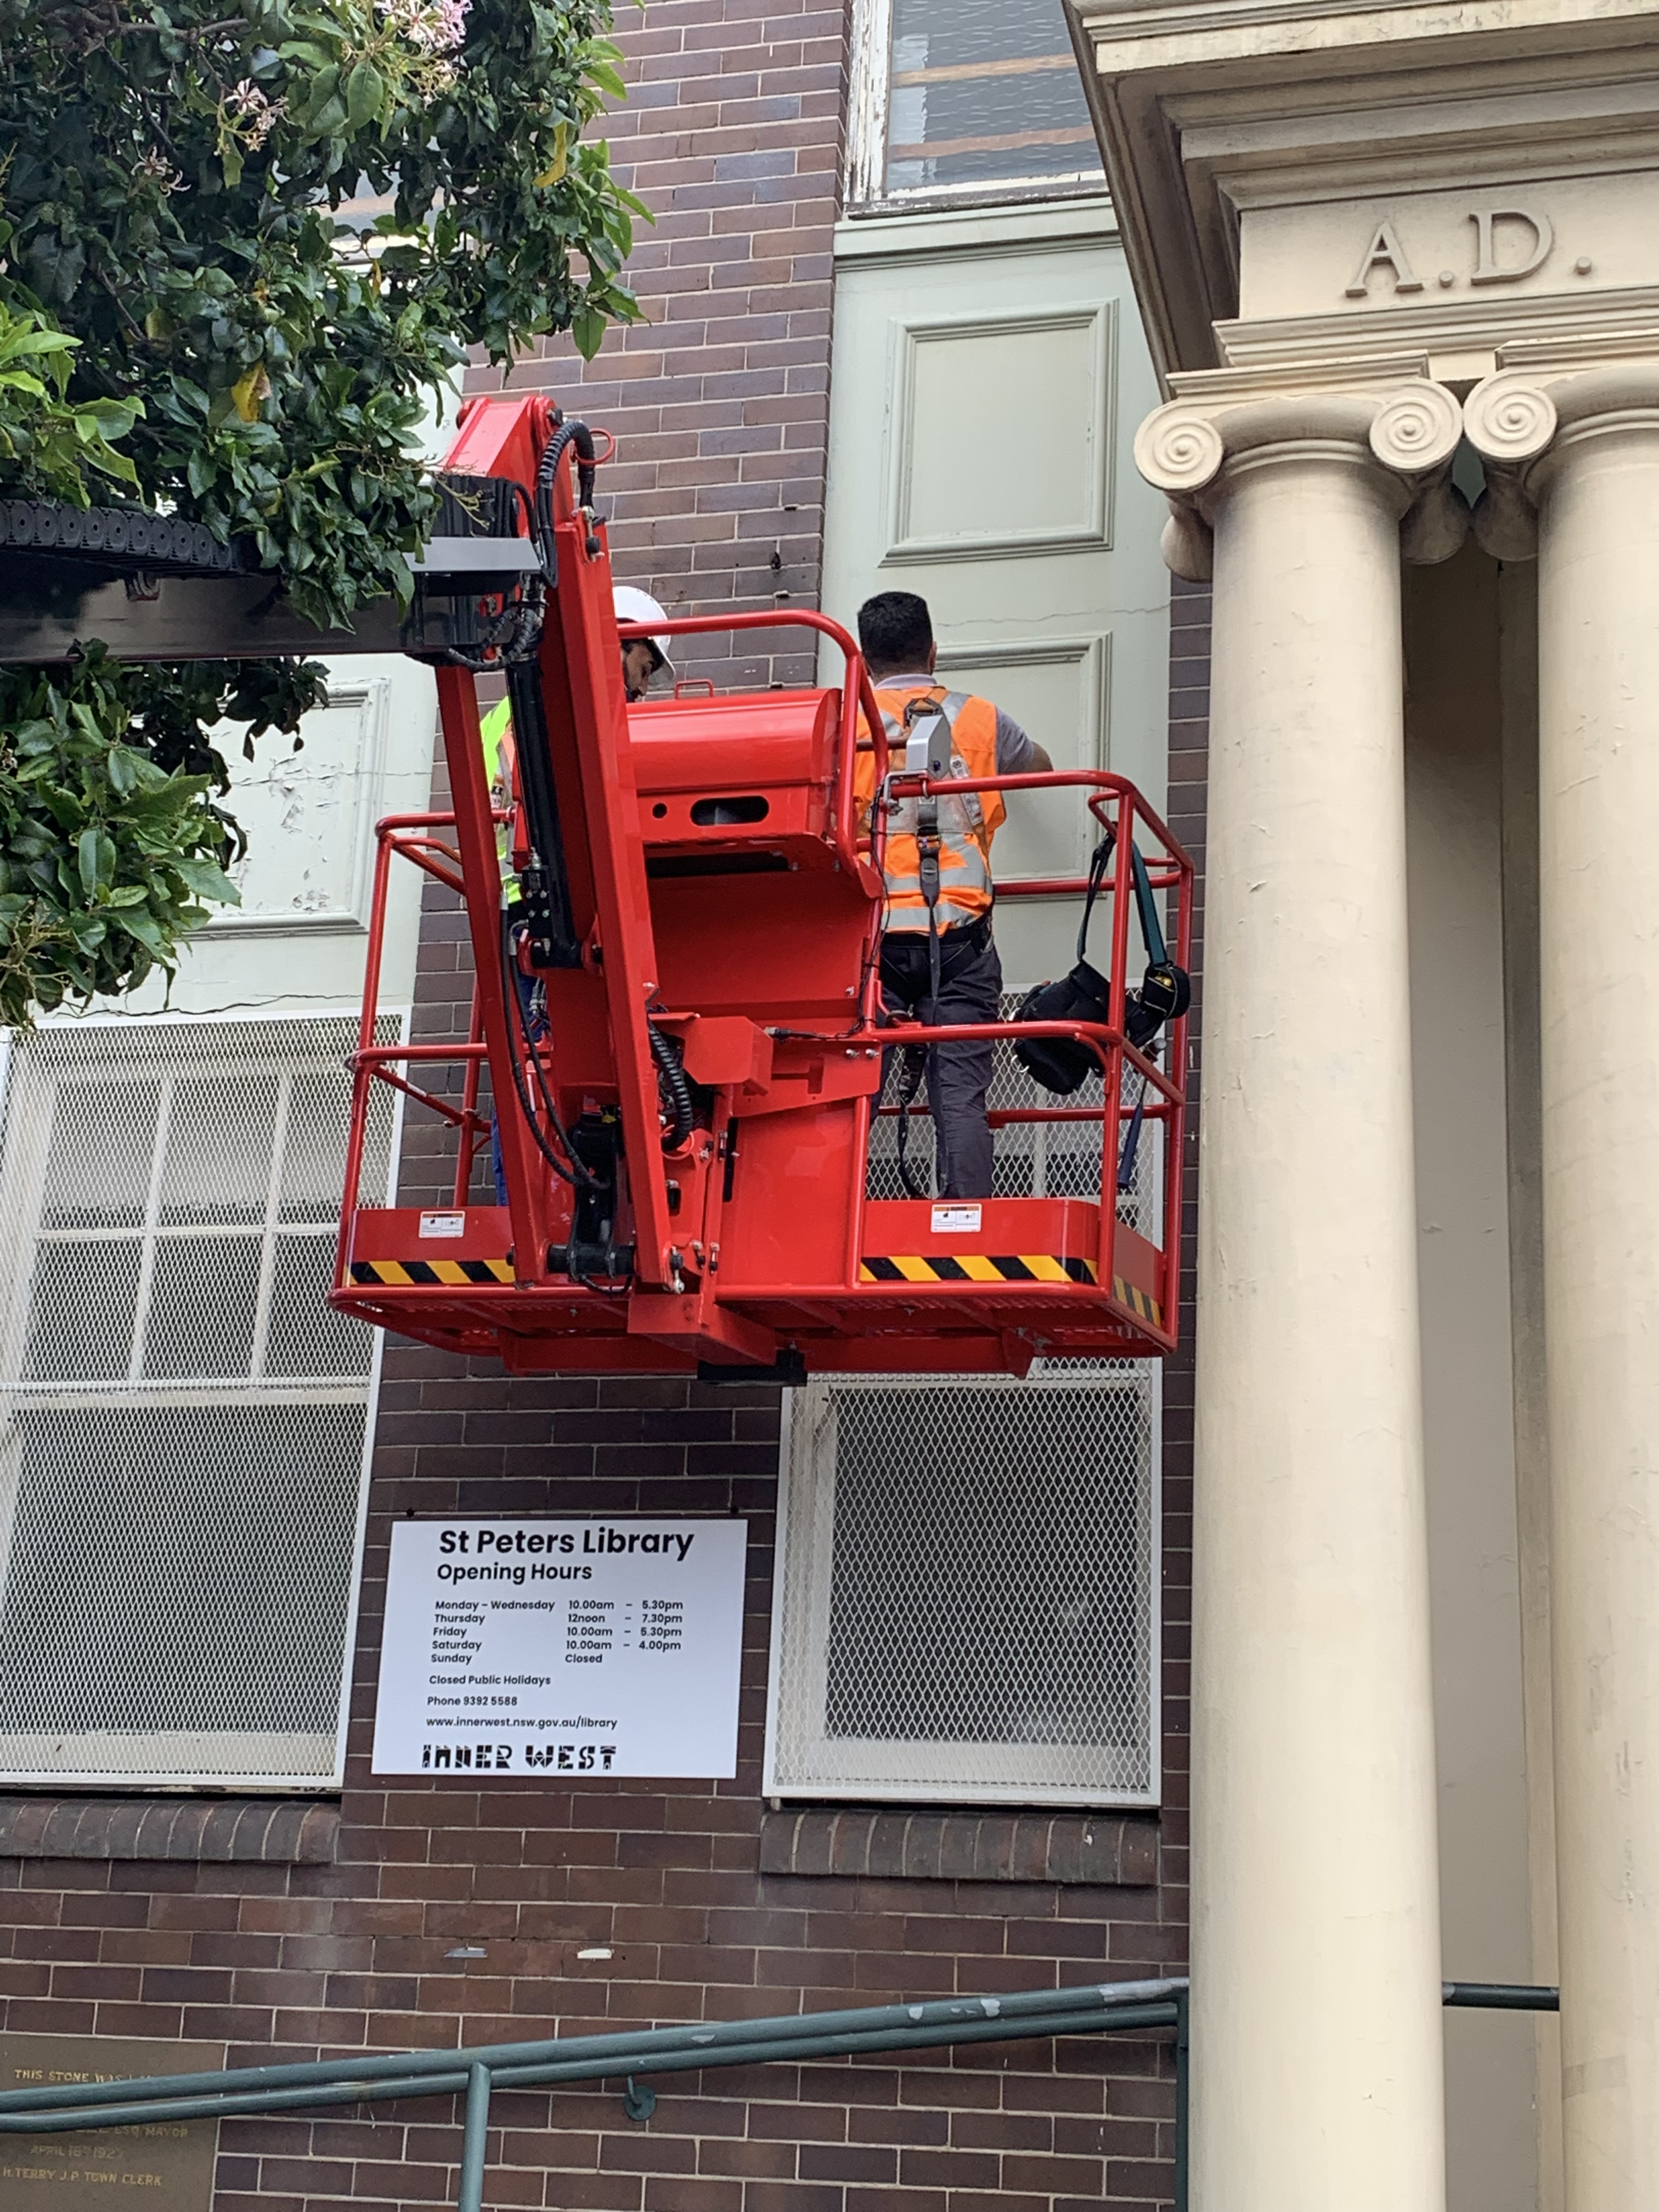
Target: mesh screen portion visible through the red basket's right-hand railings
1032,1158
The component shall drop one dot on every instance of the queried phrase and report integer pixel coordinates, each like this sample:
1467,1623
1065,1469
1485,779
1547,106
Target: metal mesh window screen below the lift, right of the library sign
968,1592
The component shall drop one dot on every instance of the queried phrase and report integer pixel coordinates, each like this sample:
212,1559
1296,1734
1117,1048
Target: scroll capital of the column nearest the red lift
1408,428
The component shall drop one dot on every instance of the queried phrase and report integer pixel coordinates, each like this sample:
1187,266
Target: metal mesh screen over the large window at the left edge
182,1419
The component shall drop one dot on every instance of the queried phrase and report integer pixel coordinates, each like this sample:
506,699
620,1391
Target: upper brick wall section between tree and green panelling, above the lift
720,397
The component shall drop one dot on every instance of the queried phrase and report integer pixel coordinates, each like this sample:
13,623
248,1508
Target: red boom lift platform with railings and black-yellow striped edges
680,1016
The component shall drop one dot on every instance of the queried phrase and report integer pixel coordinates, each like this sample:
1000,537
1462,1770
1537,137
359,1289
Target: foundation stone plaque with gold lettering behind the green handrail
165,2164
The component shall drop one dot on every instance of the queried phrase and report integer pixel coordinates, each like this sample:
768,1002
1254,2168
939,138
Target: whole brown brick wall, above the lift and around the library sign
333,1928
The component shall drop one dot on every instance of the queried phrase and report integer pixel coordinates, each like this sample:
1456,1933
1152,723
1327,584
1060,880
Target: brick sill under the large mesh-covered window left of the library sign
286,1833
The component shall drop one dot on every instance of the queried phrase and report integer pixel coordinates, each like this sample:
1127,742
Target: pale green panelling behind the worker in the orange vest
988,384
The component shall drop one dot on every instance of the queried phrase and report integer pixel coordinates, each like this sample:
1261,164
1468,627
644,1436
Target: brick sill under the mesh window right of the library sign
1103,1850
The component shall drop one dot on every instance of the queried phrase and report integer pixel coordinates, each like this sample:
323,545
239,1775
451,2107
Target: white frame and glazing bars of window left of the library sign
23,1238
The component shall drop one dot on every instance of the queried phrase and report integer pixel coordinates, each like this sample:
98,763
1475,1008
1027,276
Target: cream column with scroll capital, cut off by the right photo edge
1587,448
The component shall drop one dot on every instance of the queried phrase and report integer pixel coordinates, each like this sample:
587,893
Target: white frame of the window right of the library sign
813,1404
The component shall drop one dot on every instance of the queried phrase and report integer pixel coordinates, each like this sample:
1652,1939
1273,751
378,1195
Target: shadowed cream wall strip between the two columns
1454,859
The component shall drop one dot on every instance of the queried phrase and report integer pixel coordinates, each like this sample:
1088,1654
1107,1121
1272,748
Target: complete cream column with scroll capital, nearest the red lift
1317,2060
